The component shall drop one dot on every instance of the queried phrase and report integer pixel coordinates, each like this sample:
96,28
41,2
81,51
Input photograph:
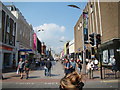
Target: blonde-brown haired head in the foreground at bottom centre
72,81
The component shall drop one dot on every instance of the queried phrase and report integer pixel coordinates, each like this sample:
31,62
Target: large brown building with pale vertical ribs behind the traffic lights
103,18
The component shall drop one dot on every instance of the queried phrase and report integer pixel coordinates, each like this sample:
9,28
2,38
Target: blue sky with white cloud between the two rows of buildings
55,18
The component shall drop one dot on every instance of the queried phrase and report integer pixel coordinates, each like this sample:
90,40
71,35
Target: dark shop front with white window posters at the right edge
109,50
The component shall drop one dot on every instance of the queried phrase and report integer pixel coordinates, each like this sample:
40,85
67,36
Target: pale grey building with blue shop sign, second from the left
24,34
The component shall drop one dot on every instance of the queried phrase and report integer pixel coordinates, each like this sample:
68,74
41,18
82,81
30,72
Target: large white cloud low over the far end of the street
51,35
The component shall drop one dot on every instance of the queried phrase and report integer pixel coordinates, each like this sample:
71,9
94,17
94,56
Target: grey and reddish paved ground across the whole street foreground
38,80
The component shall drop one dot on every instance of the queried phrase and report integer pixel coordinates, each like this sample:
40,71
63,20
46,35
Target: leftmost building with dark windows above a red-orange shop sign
8,34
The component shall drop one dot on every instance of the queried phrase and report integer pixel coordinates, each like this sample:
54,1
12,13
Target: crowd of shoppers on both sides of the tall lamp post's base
71,65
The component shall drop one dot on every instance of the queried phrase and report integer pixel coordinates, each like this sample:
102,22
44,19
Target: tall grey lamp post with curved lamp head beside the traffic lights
84,51
